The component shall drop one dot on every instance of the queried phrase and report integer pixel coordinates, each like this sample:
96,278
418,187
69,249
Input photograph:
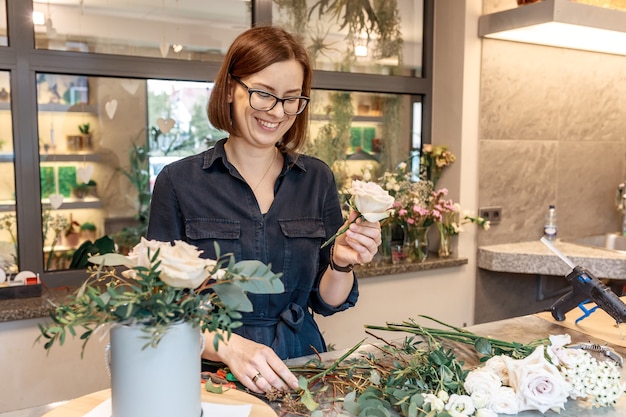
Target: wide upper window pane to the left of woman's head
177,29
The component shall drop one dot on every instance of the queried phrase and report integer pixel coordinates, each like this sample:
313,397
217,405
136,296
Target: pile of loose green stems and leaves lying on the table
395,376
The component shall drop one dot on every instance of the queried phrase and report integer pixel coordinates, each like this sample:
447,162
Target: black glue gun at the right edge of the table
587,287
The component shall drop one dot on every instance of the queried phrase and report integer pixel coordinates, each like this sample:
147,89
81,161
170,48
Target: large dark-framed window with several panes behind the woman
103,105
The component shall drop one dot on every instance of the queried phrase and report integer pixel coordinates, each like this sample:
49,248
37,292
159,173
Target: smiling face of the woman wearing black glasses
263,128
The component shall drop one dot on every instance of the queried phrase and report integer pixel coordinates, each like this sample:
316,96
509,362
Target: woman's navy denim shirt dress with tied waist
203,199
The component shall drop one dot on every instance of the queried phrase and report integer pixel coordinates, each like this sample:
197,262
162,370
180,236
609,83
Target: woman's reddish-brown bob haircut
252,51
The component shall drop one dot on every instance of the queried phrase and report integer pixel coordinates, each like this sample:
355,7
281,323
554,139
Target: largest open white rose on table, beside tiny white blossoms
538,384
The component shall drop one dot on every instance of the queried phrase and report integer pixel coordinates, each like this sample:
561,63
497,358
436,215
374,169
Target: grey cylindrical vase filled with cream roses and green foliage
156,312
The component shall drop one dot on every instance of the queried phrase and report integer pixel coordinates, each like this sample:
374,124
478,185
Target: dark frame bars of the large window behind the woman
23,61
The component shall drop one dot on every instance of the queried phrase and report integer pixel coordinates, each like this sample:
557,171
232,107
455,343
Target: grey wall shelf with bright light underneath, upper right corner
560,23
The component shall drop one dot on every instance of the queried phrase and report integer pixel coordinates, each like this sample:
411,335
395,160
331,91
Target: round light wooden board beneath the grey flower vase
82,405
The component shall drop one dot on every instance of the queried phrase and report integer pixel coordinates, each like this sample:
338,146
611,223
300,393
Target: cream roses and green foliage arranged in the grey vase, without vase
164,284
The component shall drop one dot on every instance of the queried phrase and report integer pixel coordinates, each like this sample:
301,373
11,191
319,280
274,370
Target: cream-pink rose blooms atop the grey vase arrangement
181,265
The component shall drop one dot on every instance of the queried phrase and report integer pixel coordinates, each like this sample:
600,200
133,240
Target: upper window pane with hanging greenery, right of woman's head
381,37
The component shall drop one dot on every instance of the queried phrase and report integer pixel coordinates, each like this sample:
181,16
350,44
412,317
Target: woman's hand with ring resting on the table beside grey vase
255,365
